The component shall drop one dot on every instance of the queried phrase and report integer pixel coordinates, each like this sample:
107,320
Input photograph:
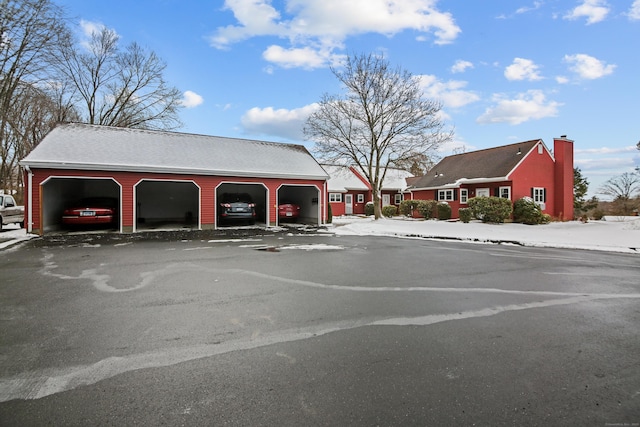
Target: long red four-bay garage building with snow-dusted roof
166,177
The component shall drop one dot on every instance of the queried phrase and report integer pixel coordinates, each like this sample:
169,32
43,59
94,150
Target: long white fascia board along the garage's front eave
155,169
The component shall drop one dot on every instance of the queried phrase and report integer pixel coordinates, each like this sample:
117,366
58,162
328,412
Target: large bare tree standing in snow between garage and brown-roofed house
383,119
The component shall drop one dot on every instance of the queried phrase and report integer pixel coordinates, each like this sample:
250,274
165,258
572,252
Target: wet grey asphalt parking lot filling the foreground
287,329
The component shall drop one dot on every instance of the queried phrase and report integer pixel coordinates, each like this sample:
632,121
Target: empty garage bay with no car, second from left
167,204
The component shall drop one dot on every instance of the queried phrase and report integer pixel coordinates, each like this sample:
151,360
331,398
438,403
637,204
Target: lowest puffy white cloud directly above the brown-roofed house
531,105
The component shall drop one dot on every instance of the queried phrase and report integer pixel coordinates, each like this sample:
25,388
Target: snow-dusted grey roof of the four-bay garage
92,147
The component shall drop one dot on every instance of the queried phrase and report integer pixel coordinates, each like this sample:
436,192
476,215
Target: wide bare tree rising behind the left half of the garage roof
123,88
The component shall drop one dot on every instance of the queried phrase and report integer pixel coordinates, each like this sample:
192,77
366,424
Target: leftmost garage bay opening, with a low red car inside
87,194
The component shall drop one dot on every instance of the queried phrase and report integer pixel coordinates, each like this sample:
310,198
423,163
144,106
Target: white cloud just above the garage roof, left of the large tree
277,122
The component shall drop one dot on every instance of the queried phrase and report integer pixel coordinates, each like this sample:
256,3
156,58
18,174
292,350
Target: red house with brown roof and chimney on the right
511,171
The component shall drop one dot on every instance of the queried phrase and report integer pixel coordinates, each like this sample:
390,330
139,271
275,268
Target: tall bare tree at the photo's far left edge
30,30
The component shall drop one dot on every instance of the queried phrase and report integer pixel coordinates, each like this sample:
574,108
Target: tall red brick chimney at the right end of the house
563,178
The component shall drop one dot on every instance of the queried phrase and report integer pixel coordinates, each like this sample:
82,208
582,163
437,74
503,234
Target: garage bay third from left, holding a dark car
233,204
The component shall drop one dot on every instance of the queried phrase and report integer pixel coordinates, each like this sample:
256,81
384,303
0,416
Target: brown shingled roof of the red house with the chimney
492,164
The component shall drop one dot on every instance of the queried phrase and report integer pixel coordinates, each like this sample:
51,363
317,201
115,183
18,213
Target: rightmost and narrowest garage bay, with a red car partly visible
304,197
